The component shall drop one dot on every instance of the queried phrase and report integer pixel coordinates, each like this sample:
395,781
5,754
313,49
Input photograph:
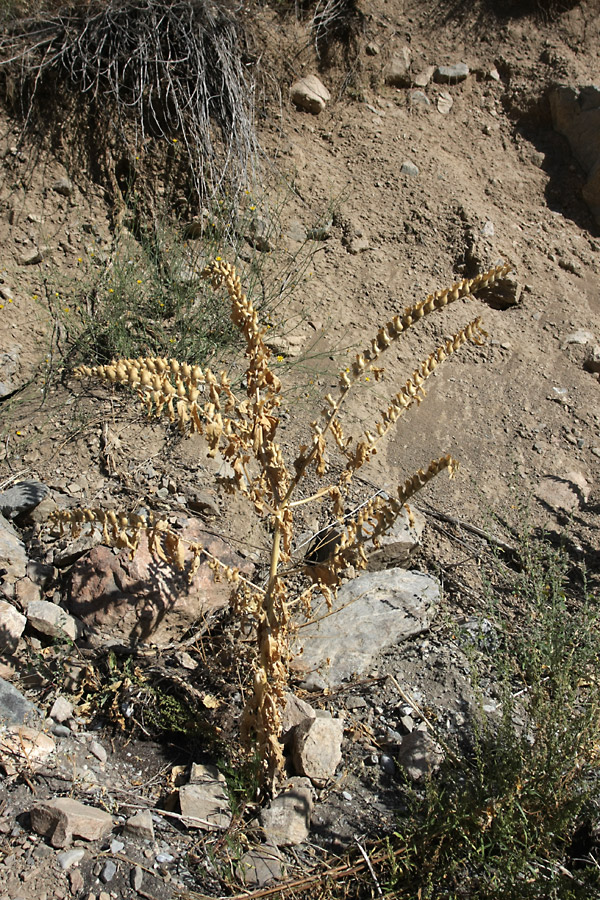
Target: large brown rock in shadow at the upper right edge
576,115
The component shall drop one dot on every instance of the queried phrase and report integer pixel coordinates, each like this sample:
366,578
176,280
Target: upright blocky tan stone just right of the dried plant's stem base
317,748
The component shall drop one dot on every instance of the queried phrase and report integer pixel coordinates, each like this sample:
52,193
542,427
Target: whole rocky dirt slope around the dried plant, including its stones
404,178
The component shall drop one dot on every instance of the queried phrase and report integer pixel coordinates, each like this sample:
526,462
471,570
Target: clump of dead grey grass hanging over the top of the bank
176,71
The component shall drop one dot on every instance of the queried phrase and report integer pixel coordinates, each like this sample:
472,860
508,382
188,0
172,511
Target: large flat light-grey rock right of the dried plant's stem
369,614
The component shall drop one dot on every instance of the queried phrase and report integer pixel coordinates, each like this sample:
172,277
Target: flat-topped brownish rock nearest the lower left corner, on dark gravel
63,819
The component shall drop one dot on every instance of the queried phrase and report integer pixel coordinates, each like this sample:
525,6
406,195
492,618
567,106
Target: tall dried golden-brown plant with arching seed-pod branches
244,432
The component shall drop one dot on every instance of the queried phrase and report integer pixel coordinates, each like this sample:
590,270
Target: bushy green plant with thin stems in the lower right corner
501,825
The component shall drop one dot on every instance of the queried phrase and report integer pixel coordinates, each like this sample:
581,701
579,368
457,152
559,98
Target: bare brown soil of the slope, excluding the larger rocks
412,196
